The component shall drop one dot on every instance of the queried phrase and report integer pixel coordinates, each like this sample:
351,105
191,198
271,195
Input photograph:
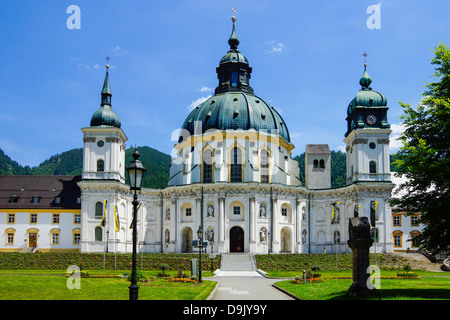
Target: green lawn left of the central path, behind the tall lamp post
52,285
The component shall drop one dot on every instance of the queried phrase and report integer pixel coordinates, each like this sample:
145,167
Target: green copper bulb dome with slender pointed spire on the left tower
105,115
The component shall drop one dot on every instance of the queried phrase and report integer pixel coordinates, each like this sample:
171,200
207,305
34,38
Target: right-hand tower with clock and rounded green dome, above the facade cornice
367,136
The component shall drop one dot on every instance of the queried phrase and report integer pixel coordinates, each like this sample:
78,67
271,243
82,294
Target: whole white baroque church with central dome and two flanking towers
233,175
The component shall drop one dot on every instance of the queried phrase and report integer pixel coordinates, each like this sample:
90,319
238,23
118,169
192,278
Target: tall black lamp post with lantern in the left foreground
135,173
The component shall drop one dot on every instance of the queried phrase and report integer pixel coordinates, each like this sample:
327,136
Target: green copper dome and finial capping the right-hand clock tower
367,97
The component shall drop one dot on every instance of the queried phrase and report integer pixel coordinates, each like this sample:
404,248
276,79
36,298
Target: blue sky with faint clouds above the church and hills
306,58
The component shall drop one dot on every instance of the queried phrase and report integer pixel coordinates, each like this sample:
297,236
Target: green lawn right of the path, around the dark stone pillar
426,288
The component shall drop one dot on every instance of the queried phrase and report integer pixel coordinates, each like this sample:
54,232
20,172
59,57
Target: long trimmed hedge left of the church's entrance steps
94,261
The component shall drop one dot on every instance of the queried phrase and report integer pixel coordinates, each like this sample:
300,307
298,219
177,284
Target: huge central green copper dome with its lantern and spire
234,106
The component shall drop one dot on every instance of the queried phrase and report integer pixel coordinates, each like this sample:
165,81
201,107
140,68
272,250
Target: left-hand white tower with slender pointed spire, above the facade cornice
104,142
